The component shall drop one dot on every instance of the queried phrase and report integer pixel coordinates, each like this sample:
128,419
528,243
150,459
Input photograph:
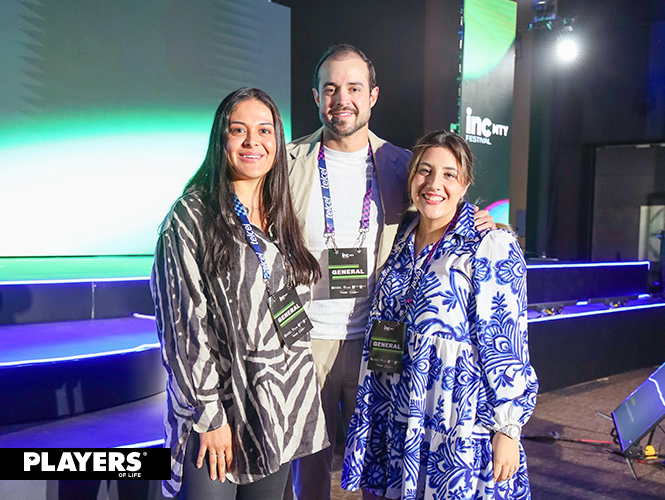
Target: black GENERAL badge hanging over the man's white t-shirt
347,272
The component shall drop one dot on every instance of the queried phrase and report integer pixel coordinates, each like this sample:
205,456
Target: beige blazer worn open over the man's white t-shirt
390,164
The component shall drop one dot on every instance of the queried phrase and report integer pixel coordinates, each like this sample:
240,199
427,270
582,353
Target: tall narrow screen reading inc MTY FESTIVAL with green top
488,67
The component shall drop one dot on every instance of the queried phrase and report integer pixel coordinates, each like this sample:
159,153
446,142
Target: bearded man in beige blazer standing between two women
345,90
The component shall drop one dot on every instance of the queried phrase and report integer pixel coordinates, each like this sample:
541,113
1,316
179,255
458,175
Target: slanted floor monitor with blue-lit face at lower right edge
640,413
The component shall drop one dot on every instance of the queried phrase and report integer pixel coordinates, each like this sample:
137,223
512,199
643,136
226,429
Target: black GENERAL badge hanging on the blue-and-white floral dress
386,346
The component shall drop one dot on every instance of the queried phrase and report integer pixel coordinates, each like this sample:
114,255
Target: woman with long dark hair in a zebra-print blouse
241,403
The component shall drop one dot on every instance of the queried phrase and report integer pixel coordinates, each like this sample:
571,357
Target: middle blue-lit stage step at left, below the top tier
53,370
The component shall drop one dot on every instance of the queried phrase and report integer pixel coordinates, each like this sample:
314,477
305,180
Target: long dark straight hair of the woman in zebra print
220,222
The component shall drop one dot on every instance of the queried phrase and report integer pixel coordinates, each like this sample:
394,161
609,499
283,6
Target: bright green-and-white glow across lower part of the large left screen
96,185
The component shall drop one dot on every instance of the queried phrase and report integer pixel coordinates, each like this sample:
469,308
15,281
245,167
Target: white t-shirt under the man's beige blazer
342,319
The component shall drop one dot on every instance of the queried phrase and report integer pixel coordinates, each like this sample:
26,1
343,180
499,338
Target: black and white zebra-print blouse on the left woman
224,358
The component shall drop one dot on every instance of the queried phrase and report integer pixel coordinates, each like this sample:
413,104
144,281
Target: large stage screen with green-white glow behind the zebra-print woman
106,109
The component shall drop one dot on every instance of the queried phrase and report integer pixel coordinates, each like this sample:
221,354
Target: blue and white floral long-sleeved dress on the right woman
425,433
